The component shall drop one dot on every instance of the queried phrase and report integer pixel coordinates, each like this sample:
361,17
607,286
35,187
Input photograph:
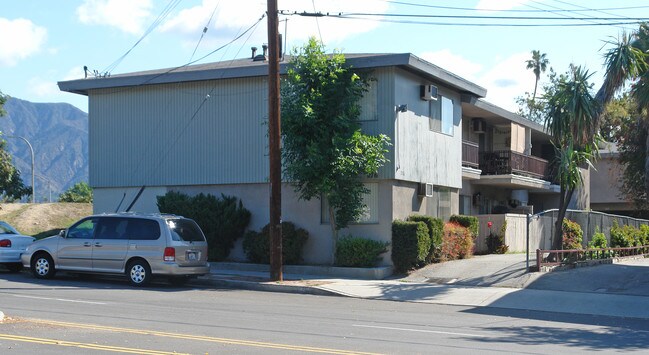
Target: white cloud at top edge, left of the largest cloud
127,15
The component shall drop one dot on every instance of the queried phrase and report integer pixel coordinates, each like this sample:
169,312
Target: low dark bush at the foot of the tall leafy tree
359,252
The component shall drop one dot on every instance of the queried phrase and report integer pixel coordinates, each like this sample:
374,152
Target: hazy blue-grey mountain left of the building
58,133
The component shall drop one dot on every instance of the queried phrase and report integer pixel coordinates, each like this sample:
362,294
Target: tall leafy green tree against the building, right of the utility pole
324,152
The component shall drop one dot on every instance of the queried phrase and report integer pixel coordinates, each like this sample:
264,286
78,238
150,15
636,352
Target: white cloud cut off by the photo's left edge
20,39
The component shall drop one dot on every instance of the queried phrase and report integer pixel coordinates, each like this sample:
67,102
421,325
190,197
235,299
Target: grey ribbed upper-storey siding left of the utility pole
161,135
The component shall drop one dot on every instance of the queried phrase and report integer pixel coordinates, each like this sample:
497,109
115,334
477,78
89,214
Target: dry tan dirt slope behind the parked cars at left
42,218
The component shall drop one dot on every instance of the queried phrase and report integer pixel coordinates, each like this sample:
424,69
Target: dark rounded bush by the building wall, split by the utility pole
256,245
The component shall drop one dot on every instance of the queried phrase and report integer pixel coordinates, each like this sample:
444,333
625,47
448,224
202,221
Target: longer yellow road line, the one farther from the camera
200,338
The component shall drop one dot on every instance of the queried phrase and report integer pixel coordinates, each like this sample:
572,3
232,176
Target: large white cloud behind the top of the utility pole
229,20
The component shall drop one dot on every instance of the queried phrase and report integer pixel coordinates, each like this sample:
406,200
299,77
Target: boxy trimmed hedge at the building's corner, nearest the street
410,244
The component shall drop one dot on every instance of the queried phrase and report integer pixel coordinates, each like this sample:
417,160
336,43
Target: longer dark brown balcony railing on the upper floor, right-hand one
505,162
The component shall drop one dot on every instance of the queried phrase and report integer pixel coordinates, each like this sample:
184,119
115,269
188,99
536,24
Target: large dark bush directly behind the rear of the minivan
223,220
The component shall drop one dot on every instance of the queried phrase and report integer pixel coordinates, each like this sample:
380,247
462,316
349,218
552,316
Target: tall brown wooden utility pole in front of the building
274,139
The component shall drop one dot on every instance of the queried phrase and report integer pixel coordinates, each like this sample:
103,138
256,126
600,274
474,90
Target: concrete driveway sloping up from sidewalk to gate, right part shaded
628,277
